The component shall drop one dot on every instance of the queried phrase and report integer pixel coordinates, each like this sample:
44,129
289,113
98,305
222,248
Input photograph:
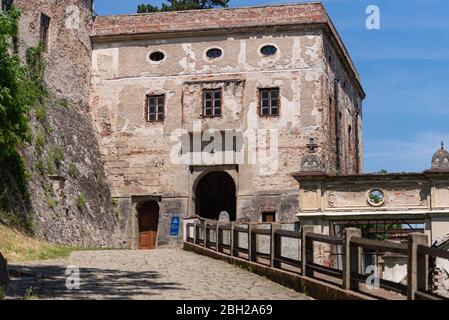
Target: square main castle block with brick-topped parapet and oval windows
263,81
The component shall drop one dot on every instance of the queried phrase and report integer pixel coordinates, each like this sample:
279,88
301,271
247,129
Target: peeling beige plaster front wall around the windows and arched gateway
137,153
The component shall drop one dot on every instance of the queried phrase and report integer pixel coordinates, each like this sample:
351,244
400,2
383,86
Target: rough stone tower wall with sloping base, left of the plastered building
70,195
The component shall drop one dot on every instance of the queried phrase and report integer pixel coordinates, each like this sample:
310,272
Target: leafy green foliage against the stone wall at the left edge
21,88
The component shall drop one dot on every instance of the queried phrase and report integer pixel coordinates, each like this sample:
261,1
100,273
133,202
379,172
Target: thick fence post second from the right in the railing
351,259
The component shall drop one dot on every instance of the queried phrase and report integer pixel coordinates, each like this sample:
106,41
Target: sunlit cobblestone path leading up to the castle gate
159,274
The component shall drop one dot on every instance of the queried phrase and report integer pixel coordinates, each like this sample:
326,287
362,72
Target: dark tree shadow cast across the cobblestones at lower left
49,282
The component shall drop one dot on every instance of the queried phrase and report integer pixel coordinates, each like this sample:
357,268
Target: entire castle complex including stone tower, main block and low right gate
197,113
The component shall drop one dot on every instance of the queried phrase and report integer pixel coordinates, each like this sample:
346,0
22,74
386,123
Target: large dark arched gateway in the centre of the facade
215,193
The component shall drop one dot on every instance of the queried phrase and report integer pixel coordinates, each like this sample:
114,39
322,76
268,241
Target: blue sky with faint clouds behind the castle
404,68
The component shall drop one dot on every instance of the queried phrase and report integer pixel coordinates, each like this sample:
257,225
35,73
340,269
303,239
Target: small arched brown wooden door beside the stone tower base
148,223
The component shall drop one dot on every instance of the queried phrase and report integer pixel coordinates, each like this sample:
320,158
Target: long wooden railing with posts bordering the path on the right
351,277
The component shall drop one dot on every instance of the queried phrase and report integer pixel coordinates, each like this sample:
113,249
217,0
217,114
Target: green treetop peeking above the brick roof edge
176,5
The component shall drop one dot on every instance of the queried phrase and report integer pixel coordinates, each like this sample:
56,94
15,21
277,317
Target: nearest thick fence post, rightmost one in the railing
417,268
